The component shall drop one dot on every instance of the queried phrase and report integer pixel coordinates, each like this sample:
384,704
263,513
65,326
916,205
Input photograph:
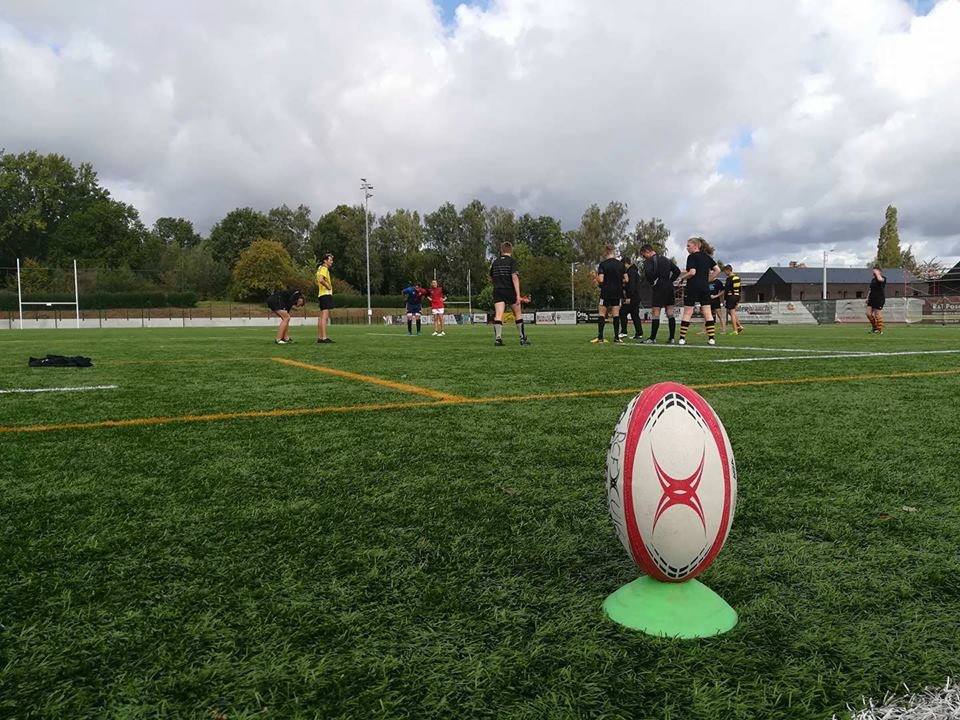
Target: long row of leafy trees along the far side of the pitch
52,212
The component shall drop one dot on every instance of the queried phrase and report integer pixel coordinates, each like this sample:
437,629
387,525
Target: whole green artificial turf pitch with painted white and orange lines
227,535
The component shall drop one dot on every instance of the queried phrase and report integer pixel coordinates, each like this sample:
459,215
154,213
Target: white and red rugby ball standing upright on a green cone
671,482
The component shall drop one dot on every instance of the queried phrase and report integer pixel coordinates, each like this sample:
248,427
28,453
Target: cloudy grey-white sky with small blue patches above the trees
776,129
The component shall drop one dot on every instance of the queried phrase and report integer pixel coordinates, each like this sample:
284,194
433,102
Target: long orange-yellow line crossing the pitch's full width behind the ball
338,409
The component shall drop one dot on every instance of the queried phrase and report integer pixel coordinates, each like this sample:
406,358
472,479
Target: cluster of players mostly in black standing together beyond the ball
619,283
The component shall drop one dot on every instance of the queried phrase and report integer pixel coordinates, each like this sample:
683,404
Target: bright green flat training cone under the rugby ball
683,610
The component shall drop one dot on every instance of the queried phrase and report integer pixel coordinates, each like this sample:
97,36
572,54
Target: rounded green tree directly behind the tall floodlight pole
341,232
